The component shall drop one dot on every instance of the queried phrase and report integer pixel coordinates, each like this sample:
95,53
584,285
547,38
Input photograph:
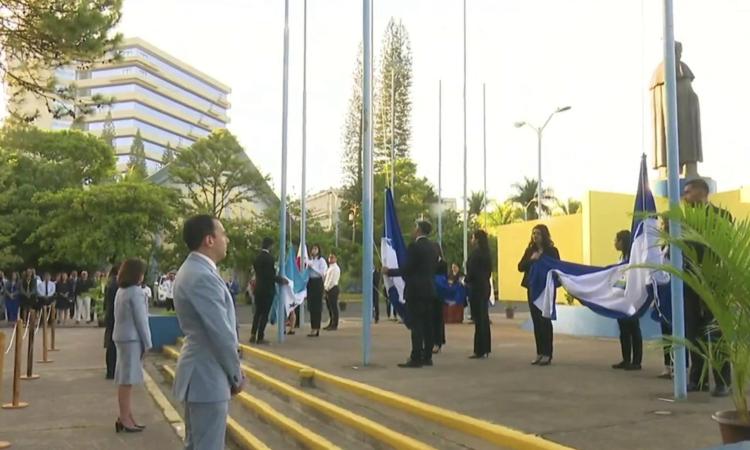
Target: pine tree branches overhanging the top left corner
39,36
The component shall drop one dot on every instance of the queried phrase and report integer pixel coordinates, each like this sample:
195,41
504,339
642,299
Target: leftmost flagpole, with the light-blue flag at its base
280,316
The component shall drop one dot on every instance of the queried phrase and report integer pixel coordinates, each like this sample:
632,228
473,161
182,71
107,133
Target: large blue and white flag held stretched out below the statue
618,291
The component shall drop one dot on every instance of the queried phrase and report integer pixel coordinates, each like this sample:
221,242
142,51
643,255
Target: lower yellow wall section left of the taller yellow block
513,240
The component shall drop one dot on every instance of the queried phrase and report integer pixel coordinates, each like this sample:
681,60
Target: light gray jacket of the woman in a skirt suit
131,317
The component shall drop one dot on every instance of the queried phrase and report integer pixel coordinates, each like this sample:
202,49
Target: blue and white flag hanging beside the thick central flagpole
393,256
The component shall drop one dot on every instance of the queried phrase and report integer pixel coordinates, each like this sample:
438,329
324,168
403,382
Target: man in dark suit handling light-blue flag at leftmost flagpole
265,288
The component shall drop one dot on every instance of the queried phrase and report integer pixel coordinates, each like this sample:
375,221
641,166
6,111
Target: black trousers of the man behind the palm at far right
698,329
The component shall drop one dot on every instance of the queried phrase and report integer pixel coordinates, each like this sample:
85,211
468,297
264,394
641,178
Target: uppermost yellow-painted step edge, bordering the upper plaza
488,431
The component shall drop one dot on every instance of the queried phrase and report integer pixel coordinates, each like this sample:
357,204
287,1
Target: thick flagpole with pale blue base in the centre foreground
367,203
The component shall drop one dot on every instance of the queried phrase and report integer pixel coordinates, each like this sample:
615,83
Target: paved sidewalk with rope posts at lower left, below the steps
72,406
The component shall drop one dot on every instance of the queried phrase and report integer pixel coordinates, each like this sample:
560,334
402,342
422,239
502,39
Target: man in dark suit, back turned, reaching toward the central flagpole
418,273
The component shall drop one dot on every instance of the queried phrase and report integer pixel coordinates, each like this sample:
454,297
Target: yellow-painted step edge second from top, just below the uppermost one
375,430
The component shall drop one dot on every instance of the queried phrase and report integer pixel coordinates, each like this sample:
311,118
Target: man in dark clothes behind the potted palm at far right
698,318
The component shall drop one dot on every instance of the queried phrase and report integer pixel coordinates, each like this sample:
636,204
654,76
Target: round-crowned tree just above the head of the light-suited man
217,174
